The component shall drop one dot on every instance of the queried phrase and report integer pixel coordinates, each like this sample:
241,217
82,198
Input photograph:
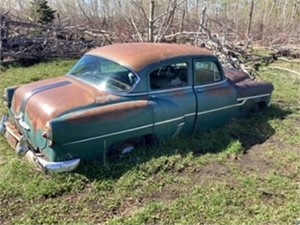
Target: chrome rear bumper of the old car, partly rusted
20,144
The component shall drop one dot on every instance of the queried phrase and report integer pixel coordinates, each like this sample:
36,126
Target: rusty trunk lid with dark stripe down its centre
44,100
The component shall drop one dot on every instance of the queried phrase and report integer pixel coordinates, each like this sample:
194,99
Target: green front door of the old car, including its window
216,99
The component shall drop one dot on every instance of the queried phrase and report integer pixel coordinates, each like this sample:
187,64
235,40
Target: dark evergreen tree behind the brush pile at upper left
40,12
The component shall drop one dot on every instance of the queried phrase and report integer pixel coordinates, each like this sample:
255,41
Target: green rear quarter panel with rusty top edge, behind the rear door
89,133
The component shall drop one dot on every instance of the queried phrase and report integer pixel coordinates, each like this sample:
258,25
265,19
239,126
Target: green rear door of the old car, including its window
172,93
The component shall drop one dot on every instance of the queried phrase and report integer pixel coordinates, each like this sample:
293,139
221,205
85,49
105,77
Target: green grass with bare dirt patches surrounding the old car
246,172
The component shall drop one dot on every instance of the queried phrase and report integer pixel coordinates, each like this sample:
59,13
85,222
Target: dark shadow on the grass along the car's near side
248,132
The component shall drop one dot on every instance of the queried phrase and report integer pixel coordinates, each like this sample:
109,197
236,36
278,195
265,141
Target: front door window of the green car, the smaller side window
206,72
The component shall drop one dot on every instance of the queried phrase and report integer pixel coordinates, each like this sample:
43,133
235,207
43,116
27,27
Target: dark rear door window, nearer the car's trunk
169,76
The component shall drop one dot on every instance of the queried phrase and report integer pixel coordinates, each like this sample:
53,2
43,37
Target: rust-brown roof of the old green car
139,55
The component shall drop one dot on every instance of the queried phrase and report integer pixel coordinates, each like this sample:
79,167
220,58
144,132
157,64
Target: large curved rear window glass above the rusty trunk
104,74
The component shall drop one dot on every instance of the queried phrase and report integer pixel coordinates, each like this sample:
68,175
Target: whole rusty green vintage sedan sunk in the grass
120,96
